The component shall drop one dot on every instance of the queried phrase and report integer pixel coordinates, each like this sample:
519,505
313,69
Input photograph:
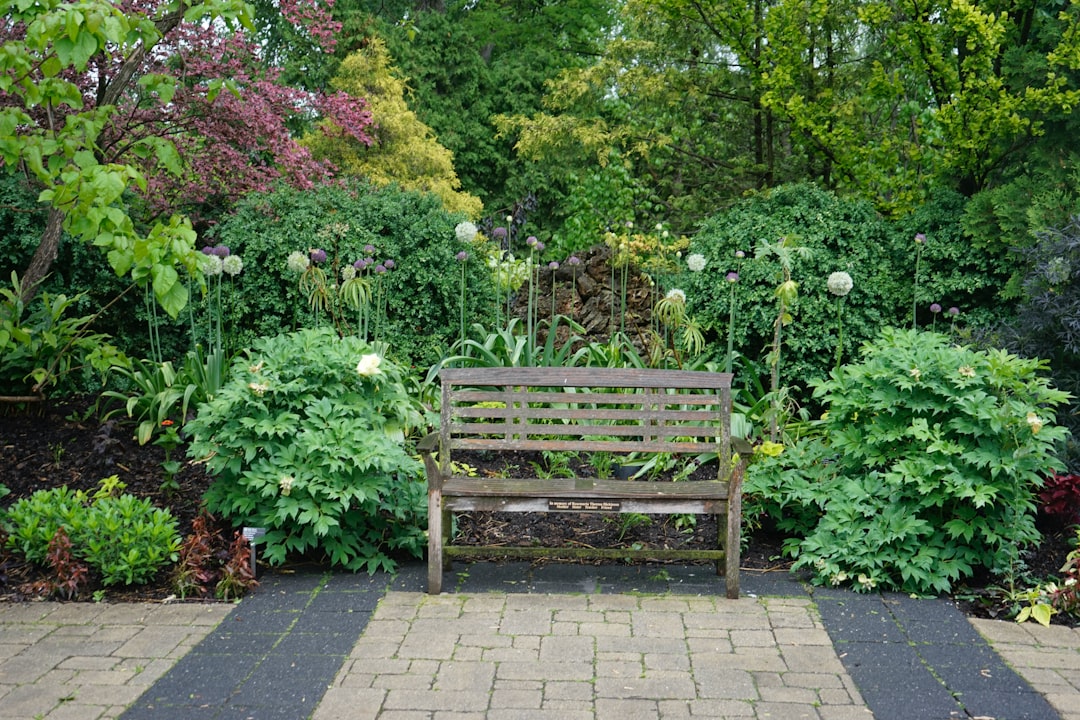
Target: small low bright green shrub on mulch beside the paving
124,538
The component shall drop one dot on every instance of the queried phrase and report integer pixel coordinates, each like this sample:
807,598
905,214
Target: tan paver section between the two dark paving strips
592,657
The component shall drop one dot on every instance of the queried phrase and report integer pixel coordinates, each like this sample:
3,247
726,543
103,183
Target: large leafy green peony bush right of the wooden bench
935,456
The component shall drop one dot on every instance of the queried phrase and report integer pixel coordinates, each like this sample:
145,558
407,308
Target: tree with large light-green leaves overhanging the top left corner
51,124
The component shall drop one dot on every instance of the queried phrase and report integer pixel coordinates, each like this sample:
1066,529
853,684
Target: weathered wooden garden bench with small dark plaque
583,411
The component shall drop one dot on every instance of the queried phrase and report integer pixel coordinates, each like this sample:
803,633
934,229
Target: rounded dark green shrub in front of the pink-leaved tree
423,292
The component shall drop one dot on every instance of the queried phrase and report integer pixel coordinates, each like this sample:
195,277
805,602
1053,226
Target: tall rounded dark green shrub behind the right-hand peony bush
842,235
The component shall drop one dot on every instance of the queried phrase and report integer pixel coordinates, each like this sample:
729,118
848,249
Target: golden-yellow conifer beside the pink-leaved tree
406,151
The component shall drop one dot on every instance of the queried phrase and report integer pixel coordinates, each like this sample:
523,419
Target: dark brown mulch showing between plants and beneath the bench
64,443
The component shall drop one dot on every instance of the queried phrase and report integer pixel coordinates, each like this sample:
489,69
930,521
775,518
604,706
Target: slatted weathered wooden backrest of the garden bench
595,410
